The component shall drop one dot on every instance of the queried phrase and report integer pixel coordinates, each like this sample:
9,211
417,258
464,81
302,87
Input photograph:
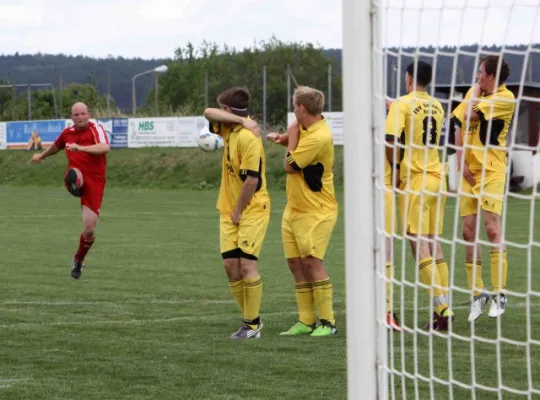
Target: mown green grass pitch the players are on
151,315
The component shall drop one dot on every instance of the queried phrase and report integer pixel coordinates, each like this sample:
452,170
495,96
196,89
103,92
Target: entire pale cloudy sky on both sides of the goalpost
154,28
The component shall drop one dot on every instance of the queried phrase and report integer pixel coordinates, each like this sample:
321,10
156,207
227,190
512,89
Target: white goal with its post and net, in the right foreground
466,198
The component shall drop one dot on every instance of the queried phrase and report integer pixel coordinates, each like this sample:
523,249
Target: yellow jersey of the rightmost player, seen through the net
489,133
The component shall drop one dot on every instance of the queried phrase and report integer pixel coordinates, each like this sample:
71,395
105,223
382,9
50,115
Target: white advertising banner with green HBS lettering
153,132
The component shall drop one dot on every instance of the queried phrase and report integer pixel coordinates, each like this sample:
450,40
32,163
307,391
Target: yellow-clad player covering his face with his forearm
243,203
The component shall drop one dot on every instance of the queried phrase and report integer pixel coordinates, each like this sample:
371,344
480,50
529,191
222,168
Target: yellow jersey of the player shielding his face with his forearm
243,155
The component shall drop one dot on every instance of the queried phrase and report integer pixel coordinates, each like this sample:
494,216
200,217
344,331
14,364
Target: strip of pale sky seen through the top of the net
444,22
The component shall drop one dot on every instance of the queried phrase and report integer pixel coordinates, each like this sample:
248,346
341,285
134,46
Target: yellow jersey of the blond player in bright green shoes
315,151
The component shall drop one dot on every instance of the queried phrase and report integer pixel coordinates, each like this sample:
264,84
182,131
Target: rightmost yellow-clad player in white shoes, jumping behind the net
482,120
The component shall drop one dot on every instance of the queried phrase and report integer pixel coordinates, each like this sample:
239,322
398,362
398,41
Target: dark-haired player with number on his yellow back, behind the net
416,120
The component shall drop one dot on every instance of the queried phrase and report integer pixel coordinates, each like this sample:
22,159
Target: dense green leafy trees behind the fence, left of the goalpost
183,86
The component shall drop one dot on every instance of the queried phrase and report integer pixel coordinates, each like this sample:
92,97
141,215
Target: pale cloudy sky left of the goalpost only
155,28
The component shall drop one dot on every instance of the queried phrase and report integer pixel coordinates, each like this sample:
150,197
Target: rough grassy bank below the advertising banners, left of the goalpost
149,168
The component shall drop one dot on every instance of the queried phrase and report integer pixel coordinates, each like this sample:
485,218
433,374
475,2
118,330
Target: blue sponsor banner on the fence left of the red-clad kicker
18,133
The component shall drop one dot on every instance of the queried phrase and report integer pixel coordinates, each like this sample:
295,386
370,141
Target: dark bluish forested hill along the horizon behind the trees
47,68
